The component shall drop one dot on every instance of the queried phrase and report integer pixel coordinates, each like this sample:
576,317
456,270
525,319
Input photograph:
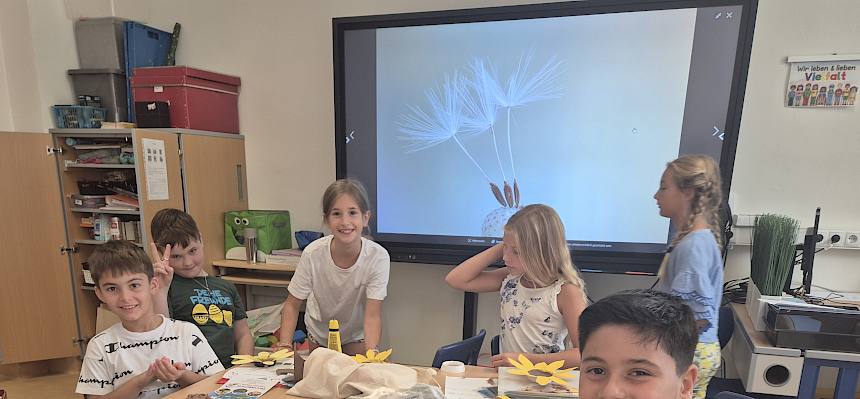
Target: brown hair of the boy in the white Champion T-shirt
119,257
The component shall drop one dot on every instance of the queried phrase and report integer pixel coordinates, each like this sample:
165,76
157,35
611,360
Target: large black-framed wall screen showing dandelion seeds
456,120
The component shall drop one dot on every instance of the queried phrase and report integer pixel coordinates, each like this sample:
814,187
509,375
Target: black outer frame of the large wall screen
586,260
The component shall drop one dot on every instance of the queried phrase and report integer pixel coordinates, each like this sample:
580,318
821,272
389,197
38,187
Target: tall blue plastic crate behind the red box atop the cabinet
145,46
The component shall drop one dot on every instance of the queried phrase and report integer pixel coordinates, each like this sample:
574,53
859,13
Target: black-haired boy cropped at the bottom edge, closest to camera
637,344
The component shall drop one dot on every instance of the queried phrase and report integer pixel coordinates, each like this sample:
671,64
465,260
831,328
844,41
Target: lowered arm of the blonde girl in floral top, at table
570,304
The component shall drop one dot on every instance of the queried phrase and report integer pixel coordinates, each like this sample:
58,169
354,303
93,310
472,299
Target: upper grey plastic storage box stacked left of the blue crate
100,42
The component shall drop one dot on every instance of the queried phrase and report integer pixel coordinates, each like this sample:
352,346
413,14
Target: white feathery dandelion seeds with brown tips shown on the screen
468,105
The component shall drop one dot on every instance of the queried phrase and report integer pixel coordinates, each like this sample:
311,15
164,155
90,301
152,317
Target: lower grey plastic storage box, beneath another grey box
109,84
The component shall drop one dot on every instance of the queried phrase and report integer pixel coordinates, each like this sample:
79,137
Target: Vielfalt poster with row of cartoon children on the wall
826,83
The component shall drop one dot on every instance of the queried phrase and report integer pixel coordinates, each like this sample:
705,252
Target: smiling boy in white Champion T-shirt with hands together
146,355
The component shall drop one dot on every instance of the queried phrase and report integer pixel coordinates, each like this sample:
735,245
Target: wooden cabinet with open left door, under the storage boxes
46,308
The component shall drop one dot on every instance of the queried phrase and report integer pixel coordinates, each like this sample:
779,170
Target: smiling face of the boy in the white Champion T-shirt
129,296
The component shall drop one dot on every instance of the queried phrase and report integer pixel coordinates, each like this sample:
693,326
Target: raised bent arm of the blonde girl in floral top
471,276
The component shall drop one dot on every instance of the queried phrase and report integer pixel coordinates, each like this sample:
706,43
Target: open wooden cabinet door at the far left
37,313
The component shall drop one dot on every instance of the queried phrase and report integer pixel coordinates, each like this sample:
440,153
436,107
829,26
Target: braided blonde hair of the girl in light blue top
701,175
